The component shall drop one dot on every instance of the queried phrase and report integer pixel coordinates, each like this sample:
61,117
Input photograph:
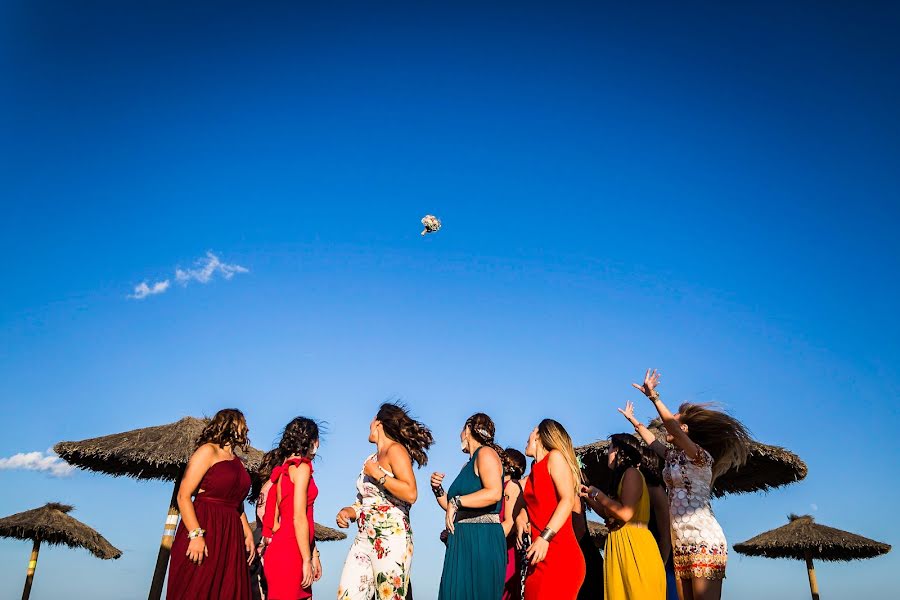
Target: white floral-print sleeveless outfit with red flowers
379,560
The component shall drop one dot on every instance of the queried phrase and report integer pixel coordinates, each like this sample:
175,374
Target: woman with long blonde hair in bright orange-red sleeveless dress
557,564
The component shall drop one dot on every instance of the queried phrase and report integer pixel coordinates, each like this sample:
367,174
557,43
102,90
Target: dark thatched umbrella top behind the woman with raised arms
767,467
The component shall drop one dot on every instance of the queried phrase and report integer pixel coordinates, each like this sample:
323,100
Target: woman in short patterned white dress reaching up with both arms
705,444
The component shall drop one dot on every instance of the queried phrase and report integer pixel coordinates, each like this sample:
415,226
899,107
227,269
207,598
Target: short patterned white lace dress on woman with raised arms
699,548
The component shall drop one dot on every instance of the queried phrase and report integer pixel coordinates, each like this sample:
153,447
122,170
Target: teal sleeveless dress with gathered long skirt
475,560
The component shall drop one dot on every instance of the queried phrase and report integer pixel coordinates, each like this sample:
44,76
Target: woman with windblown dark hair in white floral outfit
379,560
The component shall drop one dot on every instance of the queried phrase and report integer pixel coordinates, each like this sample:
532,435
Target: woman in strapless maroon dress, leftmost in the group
214,544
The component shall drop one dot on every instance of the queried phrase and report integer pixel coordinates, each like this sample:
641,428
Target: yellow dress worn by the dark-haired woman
632,566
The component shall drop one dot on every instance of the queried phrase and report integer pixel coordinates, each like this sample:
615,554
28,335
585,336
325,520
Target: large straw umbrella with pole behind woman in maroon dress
160,452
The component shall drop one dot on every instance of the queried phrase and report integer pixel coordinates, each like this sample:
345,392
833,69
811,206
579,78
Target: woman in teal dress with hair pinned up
475,561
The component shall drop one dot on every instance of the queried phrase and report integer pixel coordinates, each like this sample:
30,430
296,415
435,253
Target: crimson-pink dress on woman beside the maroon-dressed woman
282,562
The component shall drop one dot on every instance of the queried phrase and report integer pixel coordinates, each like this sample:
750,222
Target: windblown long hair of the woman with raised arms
724,437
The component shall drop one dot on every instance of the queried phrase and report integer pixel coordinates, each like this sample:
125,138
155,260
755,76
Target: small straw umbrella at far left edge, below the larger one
52,524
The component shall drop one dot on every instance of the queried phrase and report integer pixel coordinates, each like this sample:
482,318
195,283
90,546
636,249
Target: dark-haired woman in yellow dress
632,566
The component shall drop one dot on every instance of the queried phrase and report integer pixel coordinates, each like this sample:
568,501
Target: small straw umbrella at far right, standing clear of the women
804,539
